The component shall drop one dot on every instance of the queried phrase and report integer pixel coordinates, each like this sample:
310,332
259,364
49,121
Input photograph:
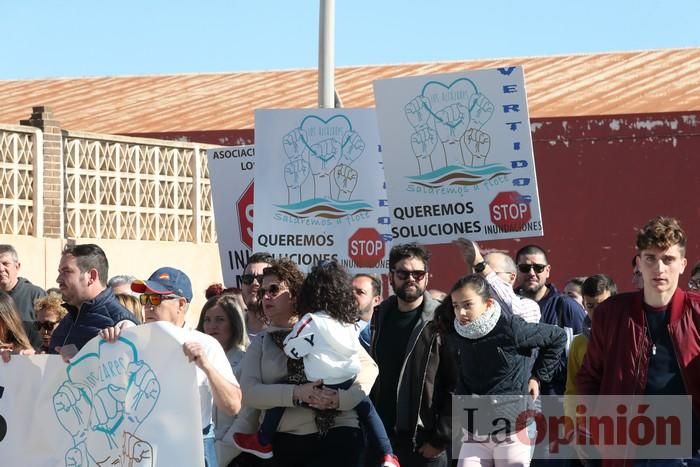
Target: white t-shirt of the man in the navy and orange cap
217,357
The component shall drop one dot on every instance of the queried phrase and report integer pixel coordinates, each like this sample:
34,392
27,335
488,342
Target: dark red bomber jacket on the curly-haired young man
617,358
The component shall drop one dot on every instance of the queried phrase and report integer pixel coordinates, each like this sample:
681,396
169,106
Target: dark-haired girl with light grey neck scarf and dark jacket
495,364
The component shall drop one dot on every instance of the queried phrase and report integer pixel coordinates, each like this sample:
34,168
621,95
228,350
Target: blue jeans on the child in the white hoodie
366,414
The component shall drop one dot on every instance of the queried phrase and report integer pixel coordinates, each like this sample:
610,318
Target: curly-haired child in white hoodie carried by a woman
326,338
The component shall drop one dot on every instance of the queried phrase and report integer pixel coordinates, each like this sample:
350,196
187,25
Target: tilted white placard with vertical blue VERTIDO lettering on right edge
458,156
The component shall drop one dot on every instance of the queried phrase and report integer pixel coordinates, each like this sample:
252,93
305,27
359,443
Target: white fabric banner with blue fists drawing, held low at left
131,403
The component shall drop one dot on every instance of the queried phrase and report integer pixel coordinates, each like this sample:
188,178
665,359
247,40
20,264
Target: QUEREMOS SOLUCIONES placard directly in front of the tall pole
319,188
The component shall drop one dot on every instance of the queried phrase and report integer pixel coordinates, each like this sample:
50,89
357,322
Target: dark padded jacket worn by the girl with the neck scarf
500,364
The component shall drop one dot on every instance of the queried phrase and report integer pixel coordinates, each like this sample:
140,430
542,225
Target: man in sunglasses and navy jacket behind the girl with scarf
556,308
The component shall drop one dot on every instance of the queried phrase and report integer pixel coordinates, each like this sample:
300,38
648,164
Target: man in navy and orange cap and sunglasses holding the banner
166,296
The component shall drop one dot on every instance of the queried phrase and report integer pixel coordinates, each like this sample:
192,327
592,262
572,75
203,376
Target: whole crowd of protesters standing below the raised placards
319,369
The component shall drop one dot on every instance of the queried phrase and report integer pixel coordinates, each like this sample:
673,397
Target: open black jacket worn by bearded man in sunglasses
427,380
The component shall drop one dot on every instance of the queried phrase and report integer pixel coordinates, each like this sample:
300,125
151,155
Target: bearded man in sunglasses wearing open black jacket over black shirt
408,392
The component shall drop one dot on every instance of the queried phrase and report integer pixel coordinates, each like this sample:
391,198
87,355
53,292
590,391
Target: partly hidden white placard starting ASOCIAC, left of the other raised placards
231,172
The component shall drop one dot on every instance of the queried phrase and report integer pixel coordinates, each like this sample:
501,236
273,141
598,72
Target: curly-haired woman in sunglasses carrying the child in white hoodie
269,379
